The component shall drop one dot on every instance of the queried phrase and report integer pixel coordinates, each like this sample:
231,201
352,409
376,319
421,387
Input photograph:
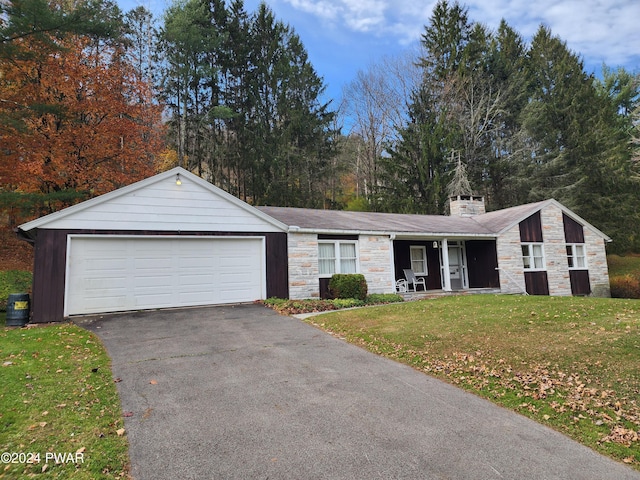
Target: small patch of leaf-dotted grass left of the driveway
59,402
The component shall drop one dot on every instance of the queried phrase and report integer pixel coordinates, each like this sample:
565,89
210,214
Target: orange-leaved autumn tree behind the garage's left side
81,122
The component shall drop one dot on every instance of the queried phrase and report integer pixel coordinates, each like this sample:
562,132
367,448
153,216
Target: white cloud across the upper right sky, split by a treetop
599,30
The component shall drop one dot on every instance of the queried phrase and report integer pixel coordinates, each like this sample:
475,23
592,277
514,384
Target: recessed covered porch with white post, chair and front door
445,265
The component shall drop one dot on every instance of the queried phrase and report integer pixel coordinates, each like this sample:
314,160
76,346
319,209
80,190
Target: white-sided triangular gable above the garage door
159,203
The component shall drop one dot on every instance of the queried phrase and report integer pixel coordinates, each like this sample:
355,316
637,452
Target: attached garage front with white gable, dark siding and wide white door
172,240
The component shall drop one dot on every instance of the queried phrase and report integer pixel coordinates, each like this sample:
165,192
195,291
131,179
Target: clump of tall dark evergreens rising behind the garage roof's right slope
245,102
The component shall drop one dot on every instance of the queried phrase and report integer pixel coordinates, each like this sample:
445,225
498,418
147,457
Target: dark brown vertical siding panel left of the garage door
49,276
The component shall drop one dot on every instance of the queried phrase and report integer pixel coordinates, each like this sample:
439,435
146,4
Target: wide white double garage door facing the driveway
110,274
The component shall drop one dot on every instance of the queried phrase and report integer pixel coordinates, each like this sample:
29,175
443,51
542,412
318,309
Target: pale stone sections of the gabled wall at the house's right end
512,270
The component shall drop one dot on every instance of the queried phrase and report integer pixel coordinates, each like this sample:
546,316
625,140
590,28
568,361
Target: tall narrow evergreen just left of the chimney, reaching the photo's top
416,173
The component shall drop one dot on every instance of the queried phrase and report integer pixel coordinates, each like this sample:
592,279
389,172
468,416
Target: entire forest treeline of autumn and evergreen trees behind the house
92,99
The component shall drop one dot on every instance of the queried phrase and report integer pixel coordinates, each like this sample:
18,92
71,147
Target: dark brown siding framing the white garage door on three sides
51,257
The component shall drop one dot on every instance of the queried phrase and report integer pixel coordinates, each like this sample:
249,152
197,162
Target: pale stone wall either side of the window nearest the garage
375,264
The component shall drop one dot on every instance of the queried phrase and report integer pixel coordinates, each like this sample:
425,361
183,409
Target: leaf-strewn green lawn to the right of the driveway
571,363
